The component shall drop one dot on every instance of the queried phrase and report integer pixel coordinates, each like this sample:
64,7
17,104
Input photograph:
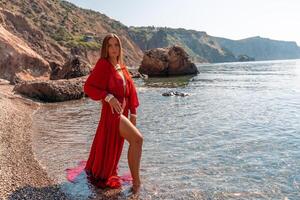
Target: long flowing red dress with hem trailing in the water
102,164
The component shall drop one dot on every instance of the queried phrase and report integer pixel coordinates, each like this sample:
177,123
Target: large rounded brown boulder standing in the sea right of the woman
167,62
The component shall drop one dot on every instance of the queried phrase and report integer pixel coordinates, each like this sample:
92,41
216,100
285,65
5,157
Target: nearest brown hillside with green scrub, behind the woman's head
52,28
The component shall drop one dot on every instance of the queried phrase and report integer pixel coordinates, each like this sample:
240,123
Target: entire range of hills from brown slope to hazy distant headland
53,28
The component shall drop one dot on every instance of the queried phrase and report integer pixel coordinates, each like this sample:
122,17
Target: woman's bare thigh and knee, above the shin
129,131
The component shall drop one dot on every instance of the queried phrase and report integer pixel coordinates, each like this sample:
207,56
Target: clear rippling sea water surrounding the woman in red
237,136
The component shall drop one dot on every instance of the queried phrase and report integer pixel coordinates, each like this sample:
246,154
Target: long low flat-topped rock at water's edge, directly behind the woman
53,90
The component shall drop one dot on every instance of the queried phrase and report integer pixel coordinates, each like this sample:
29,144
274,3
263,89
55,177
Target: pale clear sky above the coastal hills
232,19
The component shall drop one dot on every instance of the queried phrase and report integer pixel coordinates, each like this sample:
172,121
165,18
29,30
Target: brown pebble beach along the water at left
21,175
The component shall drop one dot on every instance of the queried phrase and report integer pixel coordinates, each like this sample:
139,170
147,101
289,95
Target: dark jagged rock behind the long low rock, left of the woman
74,67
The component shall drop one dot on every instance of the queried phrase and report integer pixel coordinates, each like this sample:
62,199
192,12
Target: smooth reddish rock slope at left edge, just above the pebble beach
19,61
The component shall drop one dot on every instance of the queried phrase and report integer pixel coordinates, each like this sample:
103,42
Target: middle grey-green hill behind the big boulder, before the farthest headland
200,46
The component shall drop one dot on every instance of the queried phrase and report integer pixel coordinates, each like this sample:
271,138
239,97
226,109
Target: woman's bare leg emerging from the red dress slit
135,139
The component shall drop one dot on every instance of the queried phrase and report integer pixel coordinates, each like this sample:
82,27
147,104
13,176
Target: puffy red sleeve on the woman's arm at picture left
95,85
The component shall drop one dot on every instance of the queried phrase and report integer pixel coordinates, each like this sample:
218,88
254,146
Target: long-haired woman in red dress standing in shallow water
110,83
